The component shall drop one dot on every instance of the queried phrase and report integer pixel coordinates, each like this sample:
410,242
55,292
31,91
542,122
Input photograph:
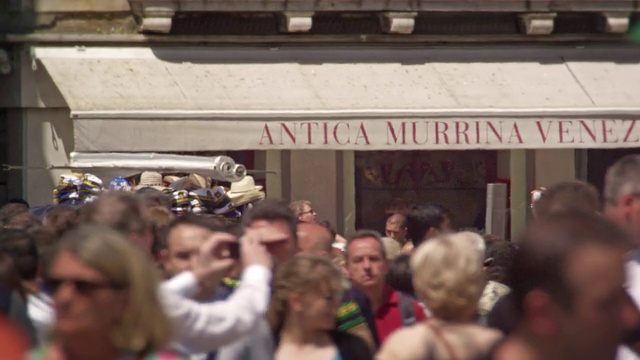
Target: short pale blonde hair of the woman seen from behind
448,275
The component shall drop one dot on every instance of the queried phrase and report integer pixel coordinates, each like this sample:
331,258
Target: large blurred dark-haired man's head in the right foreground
568,285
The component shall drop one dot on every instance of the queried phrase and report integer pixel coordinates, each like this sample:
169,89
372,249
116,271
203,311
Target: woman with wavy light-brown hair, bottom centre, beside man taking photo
307,292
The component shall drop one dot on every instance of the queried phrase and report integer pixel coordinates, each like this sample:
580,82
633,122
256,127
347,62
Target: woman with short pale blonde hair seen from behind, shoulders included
448,277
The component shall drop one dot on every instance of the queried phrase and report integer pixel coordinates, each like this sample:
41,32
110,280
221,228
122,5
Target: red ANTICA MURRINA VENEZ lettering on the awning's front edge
451,133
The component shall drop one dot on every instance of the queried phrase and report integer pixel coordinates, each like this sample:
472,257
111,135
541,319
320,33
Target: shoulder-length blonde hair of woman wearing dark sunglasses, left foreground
143,328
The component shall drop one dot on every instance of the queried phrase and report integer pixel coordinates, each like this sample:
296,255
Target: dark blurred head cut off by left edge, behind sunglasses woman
21,247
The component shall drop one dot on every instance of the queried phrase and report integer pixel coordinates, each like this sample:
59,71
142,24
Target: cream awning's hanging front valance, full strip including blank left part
351,134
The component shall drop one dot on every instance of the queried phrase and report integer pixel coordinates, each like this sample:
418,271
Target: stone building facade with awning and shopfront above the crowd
350,104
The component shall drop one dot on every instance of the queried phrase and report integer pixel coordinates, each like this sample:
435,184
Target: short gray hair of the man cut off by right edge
622,178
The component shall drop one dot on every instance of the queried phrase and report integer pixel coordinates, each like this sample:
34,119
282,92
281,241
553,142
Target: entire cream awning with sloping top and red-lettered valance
192,99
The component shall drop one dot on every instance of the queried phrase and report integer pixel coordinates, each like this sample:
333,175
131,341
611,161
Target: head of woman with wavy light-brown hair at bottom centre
307,292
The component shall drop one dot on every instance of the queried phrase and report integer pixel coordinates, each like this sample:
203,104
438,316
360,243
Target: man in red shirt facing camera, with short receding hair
367,267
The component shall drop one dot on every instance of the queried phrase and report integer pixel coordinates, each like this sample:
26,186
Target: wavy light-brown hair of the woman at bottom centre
303,274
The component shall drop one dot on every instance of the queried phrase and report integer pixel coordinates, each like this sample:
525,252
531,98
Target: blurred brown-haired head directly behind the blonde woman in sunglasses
123,212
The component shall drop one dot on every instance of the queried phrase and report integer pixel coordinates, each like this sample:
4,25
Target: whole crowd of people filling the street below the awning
126,276
